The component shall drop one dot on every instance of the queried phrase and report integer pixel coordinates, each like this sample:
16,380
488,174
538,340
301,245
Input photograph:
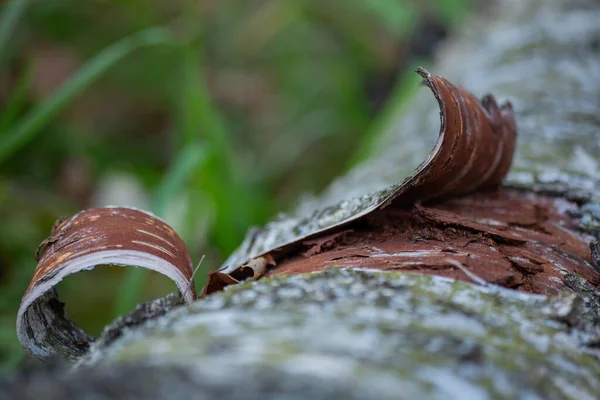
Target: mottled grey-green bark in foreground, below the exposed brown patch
384,334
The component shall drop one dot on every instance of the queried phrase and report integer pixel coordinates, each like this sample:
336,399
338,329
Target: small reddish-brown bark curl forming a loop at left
100,236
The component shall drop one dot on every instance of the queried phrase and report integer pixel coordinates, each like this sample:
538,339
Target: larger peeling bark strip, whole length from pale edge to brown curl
474,151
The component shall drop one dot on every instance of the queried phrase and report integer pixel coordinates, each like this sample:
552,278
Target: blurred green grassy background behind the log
213,114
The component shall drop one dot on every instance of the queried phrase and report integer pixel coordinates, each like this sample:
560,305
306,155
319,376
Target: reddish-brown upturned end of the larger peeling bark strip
473,152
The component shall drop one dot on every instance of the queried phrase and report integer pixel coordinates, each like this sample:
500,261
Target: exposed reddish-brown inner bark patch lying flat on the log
517,240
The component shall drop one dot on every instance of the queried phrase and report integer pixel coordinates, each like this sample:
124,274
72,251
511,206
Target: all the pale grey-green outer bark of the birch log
386,334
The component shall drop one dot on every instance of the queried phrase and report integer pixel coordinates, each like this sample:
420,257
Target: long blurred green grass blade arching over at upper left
26,129
